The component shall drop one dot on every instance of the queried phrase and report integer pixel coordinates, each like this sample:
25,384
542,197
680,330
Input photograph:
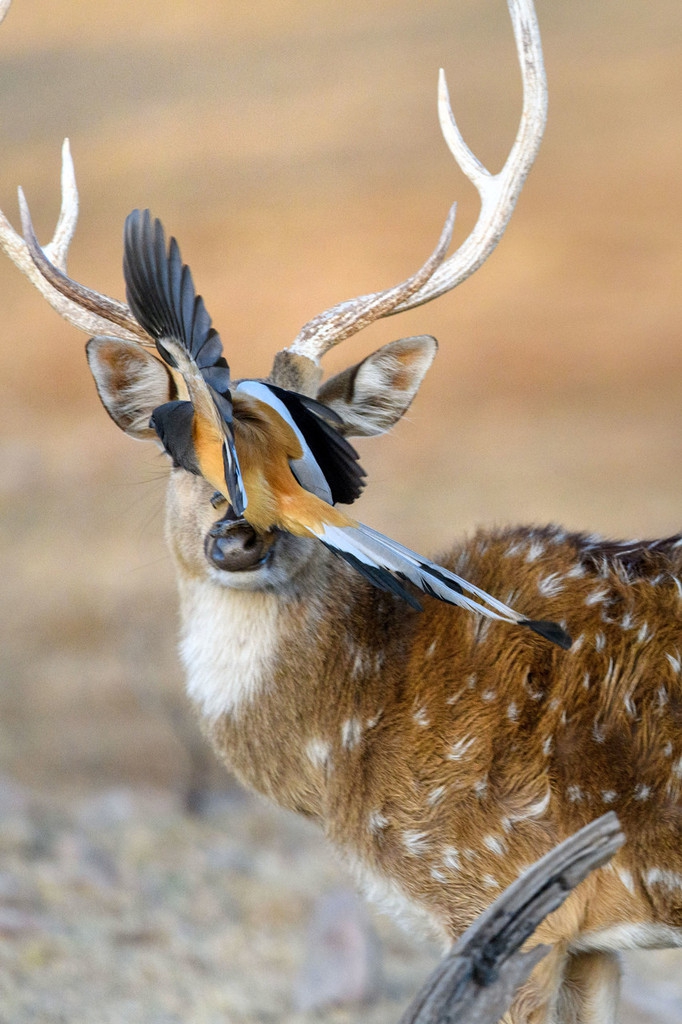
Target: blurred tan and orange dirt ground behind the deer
295,152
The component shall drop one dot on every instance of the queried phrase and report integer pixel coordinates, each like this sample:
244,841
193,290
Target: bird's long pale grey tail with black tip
388,565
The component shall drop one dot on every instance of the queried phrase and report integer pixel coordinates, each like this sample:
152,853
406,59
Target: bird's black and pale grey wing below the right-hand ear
329,466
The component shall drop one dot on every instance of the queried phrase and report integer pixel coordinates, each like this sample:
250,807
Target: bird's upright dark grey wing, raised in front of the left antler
162,297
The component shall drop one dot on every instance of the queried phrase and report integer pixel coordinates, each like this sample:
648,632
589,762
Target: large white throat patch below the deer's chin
229,646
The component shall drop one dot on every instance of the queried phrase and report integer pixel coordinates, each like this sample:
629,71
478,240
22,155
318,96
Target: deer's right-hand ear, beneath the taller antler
373,396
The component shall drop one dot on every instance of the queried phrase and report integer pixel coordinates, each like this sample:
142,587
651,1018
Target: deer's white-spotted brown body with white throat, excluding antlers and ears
442,754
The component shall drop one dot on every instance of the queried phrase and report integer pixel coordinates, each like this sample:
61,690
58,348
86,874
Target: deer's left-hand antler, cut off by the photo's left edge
80,307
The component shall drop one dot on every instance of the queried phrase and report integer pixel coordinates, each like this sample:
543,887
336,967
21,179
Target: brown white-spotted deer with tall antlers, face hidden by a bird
441,753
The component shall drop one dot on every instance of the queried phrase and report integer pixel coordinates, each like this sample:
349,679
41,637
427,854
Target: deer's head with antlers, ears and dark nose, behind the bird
369,398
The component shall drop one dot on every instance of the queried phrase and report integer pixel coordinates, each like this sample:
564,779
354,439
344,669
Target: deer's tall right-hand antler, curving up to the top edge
498,198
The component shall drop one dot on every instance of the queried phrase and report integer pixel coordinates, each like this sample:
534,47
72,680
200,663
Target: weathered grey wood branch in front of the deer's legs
477,982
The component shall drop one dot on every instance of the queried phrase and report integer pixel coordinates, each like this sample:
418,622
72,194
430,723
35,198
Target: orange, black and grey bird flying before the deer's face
277,456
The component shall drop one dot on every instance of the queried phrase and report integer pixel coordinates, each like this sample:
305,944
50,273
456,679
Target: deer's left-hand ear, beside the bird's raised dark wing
131,383
